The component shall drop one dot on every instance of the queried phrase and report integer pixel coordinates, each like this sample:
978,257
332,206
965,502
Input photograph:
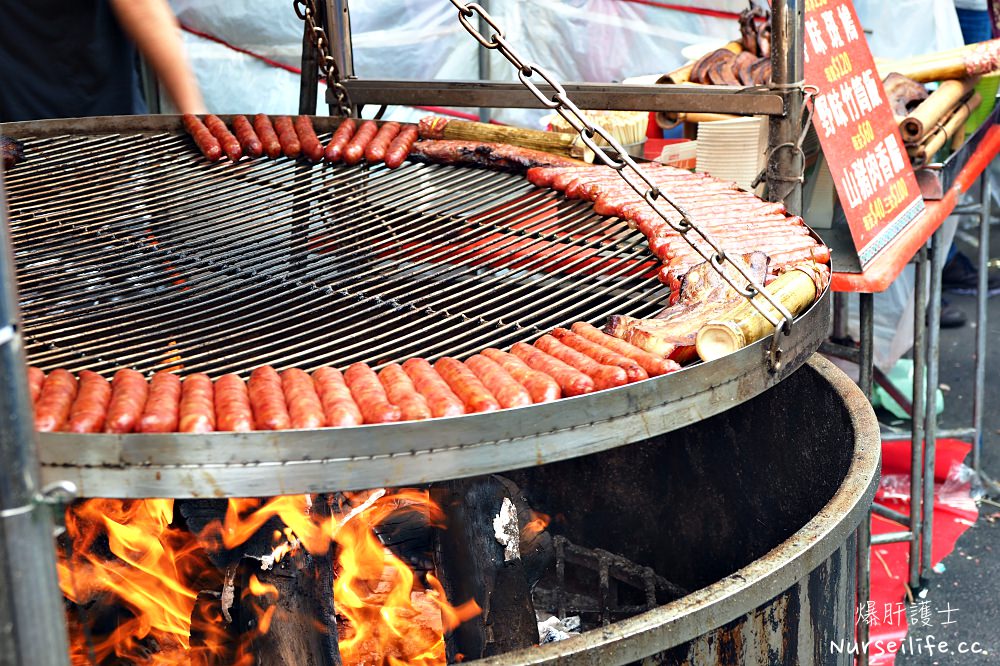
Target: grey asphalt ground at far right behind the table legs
971,579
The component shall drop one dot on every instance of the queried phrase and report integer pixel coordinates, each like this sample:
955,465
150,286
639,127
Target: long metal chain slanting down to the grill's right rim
637,180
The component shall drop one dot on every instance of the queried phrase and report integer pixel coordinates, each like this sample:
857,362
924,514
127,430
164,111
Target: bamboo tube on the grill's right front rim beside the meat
744,325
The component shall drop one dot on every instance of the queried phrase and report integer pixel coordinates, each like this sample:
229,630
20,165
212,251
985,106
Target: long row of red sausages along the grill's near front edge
562,363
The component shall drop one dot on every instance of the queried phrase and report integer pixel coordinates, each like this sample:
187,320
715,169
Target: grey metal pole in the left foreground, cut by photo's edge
35,632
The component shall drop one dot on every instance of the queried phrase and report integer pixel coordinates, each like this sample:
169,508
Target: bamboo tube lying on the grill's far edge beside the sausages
557,143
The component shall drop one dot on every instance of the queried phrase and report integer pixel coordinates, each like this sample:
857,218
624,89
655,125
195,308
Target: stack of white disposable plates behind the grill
732,149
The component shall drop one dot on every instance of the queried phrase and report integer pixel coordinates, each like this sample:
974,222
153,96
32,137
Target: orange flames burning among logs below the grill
125,558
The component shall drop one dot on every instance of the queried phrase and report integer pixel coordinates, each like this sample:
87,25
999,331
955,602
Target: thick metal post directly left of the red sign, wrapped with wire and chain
784,167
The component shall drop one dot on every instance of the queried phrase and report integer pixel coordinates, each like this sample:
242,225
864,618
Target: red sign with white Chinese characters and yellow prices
860,138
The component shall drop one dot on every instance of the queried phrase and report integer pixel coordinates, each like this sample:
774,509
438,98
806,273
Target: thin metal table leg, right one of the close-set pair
930,421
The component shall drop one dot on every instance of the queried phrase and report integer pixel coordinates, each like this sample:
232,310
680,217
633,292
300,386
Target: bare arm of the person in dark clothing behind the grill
152,26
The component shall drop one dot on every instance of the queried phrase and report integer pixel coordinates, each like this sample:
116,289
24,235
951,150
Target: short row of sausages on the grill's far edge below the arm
295,138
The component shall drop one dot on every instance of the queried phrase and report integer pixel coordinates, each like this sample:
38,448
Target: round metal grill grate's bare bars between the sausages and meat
131,251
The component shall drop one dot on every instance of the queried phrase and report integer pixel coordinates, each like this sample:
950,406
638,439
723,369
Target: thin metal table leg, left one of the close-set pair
918,412
